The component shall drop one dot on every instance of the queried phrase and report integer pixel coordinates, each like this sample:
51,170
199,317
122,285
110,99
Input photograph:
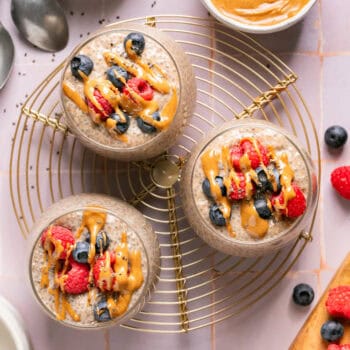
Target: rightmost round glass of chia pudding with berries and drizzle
253,188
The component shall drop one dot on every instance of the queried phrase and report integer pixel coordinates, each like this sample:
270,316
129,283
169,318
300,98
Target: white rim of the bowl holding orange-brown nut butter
257,29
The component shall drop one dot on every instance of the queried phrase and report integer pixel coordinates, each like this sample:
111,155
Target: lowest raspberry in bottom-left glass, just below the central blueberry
77,279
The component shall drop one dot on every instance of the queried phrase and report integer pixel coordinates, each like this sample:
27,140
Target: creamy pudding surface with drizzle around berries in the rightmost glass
242,221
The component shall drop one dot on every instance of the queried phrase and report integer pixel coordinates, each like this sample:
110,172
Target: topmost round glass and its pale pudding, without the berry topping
162,52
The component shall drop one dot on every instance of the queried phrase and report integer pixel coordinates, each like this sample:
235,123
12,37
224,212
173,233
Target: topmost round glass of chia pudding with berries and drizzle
128,91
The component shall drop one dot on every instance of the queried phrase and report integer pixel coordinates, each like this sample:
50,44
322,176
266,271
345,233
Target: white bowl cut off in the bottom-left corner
12,333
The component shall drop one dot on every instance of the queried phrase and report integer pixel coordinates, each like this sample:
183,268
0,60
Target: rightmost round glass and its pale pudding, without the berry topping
280,230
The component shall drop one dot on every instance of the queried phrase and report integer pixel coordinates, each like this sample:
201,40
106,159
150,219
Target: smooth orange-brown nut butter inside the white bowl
260,12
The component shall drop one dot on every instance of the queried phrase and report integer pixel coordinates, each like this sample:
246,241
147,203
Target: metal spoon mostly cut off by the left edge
7,54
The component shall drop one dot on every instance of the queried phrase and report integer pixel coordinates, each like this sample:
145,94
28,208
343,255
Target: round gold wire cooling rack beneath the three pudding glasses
236,78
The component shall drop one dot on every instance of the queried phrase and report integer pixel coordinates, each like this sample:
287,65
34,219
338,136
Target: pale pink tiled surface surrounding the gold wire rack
318,51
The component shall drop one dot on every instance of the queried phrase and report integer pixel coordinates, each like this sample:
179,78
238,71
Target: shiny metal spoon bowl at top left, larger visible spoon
42,22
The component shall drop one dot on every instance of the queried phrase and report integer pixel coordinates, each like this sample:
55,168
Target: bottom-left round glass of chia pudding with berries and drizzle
93,261
